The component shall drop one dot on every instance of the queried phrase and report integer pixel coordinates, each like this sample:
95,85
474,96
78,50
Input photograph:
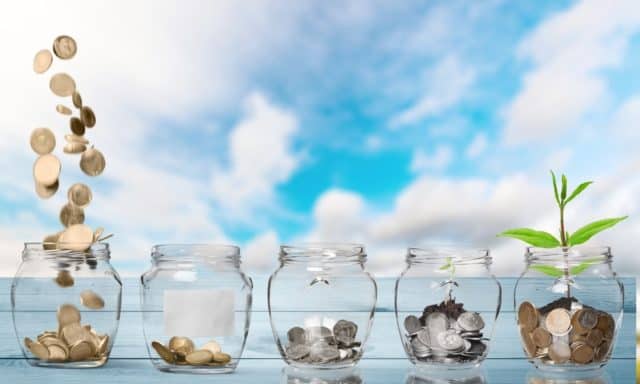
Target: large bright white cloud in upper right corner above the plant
569,50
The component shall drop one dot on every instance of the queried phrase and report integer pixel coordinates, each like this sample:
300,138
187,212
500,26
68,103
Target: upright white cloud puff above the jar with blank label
261,156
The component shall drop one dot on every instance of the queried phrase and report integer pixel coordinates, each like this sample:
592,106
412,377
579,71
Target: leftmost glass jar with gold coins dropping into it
66,306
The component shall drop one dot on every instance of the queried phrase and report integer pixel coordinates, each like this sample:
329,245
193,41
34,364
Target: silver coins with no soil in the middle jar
323,345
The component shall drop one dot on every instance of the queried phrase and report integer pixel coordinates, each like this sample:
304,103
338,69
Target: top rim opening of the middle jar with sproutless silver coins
323,251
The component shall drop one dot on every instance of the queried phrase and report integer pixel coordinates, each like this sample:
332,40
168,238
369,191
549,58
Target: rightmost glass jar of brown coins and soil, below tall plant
569,306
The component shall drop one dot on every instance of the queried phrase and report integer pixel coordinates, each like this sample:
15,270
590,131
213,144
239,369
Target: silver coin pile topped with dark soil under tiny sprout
446,333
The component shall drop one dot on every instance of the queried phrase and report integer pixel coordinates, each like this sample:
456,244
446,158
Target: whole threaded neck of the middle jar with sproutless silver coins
323,254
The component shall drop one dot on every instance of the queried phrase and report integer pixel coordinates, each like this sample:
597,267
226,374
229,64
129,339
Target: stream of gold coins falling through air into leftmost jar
46,170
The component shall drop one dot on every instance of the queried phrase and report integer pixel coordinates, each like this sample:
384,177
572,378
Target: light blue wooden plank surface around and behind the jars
384,360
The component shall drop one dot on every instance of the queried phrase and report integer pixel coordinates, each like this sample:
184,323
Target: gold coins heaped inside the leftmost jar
71,342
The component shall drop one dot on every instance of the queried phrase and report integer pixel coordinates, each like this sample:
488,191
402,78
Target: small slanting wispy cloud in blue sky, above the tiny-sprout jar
445,86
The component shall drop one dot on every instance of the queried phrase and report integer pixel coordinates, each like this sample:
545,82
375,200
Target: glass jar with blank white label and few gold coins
196,308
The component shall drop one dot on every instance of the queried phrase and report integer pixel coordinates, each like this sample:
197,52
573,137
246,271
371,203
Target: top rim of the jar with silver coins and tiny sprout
457,256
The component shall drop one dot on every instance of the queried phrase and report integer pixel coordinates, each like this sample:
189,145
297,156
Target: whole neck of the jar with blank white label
214,254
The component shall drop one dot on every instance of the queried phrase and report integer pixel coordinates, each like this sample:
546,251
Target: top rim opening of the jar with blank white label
194,252
